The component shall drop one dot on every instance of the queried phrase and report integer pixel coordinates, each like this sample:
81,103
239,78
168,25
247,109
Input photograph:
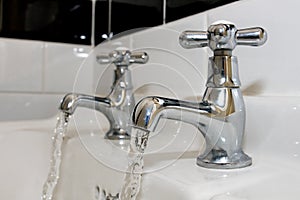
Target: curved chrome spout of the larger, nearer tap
150,110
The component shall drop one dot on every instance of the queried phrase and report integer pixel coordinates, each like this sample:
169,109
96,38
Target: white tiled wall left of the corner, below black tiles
34,76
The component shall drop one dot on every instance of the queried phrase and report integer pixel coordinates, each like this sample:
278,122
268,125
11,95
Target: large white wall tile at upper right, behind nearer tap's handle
272,69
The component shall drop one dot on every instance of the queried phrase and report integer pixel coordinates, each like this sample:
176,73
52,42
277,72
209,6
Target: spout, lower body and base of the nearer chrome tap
219,117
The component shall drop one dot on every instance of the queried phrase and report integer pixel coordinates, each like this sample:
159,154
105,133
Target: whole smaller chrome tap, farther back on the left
119,103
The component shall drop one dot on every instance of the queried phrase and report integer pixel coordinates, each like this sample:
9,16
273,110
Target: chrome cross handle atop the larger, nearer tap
223,36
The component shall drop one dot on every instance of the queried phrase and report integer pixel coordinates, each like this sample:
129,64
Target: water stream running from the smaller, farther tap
56,156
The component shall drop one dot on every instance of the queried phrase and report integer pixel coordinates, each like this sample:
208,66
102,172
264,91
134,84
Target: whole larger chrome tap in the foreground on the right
220,116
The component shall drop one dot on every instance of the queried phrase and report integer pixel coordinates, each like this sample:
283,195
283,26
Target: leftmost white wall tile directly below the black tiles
21,65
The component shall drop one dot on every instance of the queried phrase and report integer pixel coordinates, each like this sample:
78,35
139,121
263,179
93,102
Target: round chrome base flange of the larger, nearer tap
219,159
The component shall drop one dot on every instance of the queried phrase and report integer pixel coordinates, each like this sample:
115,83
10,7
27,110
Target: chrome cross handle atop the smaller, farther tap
123,58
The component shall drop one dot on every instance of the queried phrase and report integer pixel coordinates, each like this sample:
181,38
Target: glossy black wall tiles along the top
70,21
